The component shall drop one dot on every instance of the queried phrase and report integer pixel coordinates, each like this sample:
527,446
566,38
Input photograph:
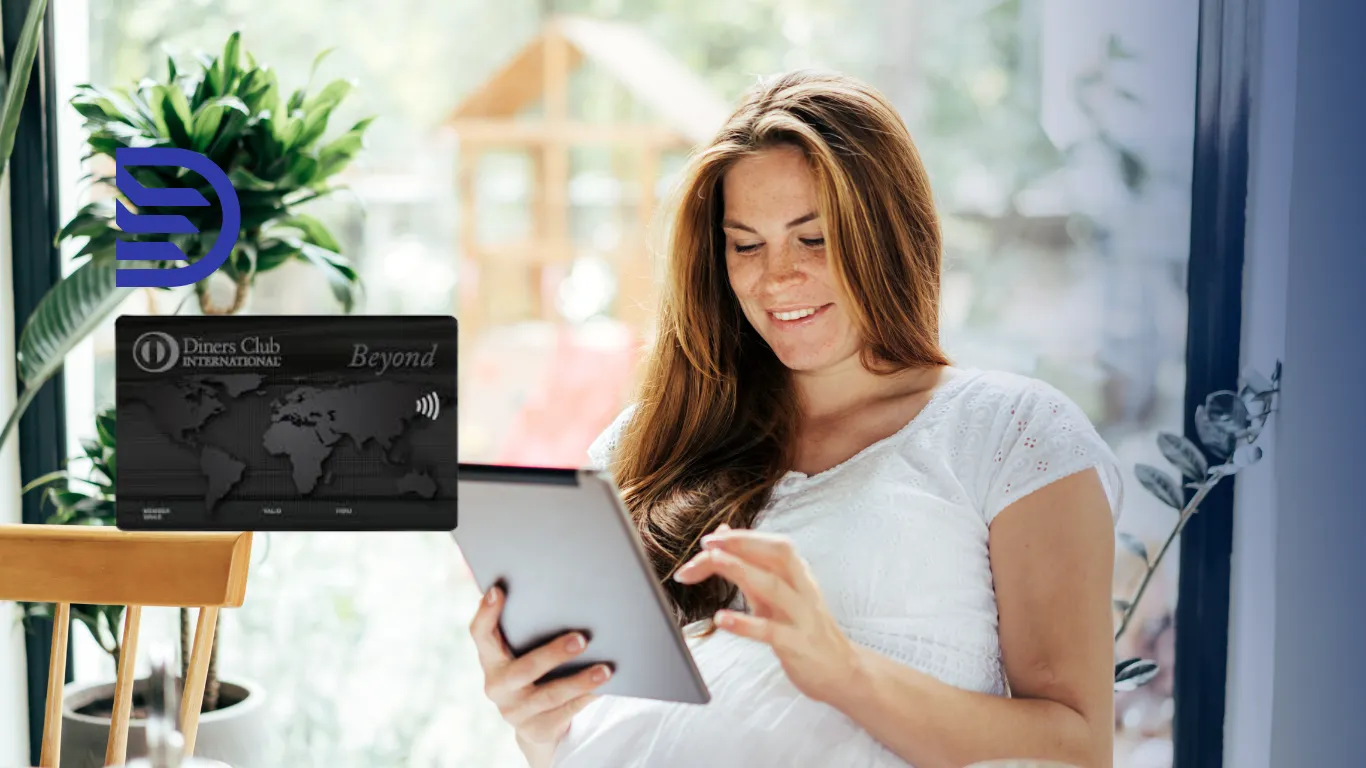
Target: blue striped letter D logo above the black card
170,225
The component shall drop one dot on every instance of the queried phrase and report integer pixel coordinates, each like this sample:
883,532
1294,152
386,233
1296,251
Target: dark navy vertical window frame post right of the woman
1215,323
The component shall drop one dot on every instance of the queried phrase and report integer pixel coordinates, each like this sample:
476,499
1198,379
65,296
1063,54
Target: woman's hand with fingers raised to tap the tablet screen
789,612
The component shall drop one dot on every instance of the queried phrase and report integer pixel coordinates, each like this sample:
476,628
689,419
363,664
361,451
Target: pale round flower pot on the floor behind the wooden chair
236,735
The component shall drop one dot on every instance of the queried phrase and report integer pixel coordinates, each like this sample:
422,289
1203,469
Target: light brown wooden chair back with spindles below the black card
104,566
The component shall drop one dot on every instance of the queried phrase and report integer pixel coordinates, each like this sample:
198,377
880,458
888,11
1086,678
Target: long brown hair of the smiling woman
716,419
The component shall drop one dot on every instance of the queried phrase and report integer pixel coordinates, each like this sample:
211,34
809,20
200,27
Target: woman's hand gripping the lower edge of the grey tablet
540,714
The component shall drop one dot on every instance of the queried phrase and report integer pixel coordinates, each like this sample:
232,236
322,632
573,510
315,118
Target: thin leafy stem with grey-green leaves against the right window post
1227,426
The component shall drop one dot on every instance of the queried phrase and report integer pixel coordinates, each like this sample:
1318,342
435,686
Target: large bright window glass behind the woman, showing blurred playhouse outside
1058,135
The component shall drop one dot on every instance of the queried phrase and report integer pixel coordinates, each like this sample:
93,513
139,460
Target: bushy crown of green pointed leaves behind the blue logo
270,146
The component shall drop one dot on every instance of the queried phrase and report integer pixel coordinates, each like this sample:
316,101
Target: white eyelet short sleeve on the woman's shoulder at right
1044,438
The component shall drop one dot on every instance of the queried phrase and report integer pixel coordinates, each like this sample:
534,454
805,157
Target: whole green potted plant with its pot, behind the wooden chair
273,148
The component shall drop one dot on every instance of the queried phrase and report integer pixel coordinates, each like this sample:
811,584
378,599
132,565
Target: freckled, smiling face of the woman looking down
775,255
